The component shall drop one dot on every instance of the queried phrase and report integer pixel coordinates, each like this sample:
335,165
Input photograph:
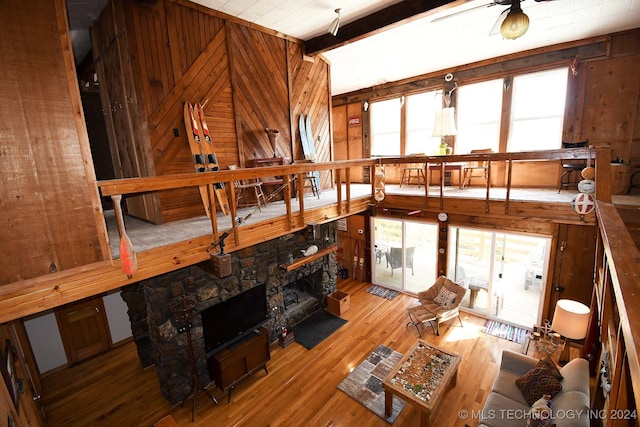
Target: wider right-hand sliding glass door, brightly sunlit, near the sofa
504,272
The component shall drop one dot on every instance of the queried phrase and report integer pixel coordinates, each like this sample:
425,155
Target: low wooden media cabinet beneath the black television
233,364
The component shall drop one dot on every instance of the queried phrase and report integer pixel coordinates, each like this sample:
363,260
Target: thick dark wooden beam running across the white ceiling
382,20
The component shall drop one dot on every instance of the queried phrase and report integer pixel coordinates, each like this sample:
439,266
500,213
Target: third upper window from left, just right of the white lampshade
479,108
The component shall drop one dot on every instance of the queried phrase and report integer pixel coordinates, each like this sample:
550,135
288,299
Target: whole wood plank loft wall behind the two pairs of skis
251,79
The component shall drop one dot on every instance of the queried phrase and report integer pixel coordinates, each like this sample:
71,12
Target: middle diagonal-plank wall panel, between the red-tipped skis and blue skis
261,93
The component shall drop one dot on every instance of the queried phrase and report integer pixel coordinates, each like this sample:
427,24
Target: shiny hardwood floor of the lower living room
300,389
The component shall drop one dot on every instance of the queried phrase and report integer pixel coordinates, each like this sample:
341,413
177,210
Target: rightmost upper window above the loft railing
537,115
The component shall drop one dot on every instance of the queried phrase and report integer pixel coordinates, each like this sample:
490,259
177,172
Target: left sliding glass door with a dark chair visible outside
404,255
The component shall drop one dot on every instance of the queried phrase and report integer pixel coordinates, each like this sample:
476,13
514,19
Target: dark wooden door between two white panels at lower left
84,329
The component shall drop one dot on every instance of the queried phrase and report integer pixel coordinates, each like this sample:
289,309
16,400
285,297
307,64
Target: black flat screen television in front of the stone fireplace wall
231,320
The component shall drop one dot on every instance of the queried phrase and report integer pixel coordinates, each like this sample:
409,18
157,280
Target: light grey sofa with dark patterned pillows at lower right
506,406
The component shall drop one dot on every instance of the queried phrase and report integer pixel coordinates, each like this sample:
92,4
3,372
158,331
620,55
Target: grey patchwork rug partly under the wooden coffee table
364,383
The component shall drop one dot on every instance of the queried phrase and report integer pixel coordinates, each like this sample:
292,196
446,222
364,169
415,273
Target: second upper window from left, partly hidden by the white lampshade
420,113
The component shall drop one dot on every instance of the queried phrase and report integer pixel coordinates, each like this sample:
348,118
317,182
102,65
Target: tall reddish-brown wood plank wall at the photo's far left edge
49,200
